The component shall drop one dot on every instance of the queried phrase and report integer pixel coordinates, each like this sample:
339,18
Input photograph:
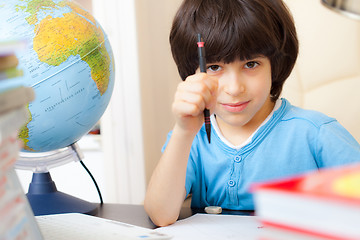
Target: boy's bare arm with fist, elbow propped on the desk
166,190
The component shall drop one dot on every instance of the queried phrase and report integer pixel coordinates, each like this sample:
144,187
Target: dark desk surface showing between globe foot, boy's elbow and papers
136,215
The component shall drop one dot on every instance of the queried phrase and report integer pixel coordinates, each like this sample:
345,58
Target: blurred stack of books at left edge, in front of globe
14,207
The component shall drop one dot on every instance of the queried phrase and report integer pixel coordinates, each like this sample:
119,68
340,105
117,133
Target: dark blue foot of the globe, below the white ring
45,199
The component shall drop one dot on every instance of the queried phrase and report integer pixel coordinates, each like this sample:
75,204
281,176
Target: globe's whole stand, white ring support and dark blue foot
43,195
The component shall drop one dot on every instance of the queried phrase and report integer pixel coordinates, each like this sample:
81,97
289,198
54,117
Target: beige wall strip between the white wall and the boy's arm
158,74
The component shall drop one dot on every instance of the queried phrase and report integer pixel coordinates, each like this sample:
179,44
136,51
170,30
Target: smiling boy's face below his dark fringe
244,92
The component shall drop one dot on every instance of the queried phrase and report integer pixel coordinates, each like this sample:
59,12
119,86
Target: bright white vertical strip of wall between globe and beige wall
121,124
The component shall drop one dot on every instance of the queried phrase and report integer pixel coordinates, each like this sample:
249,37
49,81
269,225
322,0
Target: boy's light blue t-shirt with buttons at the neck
292,141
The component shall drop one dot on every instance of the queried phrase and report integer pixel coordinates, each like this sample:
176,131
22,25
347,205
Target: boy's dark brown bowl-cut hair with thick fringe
235,29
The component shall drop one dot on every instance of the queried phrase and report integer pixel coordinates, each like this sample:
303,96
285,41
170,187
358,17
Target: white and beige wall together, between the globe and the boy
139,117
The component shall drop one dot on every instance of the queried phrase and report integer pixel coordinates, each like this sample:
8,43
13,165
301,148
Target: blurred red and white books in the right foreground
324,204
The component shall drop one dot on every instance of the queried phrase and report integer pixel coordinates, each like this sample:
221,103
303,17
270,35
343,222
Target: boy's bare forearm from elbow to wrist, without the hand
166,190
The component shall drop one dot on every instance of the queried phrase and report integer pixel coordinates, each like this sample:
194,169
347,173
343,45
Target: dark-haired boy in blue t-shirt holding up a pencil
251,48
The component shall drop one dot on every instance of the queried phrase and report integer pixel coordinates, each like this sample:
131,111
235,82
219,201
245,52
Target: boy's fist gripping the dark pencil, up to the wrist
197,92
